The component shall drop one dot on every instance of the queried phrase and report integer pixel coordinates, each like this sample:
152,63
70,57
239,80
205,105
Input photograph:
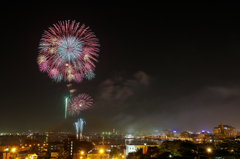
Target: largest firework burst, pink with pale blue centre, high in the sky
69,48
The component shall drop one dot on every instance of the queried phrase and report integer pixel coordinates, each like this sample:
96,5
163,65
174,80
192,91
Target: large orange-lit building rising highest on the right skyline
225,131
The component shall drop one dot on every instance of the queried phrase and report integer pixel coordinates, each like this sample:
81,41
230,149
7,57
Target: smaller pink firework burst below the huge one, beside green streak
79,103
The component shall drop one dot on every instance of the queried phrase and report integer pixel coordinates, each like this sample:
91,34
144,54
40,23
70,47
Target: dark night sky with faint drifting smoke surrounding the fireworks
162,66
